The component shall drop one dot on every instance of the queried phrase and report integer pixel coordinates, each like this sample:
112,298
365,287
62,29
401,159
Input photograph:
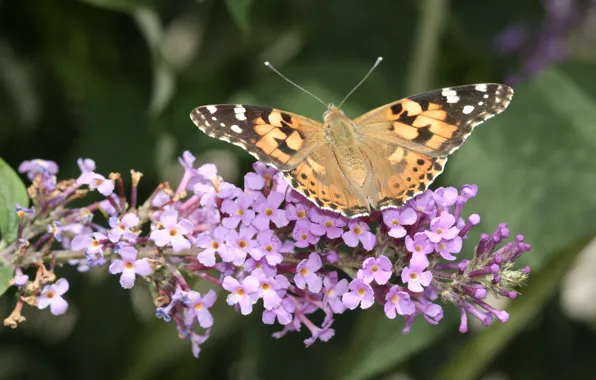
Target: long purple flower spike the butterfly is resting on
268,249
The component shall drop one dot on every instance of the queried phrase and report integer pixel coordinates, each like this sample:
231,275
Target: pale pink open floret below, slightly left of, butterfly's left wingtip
172,231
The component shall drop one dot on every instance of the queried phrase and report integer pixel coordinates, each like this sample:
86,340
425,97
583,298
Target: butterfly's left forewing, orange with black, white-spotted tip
278,138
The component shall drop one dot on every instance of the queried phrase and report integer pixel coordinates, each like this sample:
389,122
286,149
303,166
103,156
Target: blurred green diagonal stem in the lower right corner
470,361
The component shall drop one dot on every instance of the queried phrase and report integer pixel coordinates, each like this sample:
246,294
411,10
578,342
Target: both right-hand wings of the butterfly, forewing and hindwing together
408,141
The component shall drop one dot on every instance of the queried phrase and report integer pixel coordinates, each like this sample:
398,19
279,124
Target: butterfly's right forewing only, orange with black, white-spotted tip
435,123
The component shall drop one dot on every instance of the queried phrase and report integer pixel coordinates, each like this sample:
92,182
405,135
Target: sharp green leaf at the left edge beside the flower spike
12,191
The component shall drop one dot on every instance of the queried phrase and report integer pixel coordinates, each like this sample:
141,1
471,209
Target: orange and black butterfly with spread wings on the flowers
355,166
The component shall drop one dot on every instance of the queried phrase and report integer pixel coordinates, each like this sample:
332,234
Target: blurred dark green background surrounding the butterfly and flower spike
115,80
